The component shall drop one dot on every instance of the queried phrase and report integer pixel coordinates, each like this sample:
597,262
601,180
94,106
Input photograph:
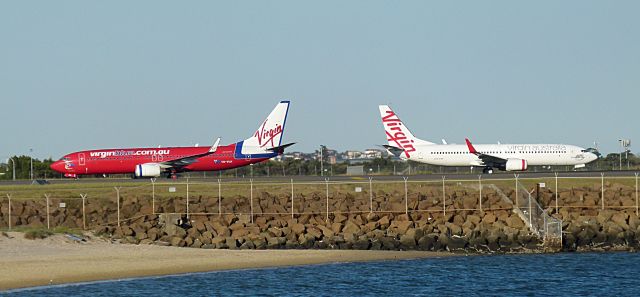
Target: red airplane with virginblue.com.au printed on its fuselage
152,162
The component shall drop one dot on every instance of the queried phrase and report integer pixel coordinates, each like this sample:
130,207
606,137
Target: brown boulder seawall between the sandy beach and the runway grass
456,224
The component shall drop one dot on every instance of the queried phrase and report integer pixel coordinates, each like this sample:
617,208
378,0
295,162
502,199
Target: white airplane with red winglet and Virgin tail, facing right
506,157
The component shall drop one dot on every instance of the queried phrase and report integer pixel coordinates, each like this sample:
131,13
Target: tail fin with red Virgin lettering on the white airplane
398,135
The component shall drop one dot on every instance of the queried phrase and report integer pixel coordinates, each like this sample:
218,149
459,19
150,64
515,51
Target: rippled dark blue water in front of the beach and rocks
596,274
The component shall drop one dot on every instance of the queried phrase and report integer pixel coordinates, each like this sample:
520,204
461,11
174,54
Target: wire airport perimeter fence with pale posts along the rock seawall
87,207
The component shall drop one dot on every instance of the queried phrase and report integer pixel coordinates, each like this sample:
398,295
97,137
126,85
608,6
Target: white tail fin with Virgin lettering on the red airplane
269,133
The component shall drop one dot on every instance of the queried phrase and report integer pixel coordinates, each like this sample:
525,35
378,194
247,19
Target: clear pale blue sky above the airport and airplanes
80,75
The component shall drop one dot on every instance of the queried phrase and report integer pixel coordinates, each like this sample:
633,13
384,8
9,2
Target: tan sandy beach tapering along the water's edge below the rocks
58,259
